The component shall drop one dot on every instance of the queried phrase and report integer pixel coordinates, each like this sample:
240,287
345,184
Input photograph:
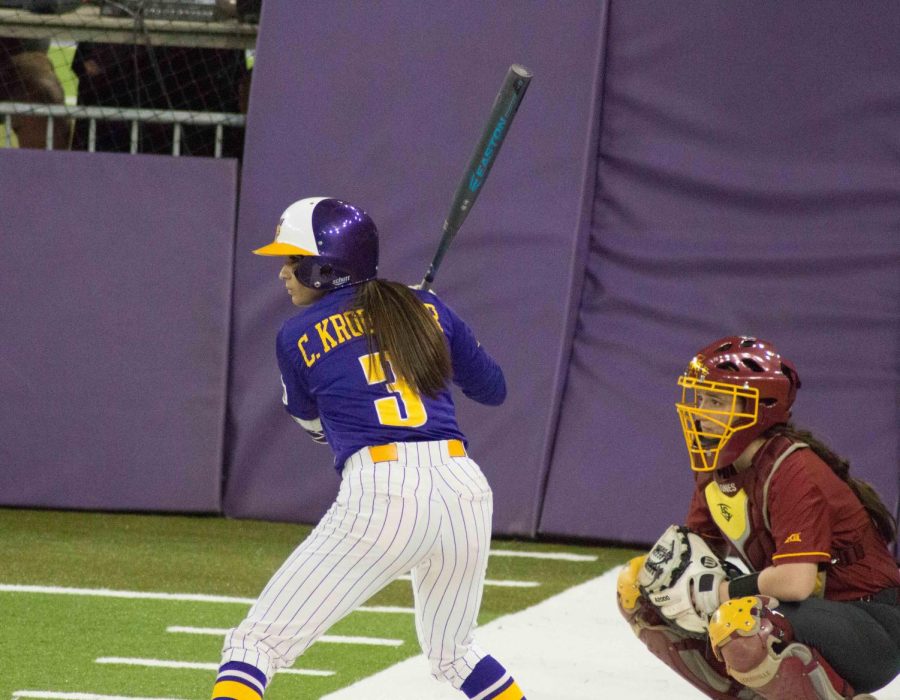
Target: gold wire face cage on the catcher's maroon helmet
739,411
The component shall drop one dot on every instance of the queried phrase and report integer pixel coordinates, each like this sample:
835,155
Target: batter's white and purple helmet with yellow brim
337,243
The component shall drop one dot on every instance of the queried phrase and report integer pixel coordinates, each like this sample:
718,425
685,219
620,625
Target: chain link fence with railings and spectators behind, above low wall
133,76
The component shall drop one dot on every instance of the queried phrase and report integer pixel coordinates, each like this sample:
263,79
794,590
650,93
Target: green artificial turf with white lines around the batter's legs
51,642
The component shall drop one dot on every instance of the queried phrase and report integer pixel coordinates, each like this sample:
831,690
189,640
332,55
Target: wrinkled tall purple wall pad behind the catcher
747,182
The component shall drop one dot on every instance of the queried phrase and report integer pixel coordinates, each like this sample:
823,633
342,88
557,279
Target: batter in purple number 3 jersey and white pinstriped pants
365,367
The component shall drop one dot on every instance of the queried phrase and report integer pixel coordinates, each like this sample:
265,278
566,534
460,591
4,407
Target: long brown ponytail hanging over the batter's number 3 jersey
401,327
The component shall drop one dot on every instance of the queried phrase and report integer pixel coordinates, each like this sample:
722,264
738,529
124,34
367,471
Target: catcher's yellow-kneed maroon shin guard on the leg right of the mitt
758,647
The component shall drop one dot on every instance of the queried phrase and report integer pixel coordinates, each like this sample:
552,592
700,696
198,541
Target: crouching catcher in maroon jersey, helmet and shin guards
818,616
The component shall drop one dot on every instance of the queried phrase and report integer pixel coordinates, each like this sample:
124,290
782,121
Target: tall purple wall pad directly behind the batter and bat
382,104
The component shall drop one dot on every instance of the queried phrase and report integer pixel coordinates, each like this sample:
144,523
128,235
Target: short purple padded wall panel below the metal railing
115,281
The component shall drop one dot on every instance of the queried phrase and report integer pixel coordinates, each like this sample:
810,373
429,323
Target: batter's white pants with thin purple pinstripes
426,512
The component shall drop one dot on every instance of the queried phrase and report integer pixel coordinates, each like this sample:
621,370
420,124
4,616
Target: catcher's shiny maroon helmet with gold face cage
753,388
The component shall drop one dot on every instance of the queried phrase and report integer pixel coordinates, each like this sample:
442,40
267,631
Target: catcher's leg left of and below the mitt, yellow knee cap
685,654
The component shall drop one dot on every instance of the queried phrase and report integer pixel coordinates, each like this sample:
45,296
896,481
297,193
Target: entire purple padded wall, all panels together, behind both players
745,159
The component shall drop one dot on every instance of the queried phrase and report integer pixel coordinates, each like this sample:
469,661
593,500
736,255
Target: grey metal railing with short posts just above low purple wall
136,116
